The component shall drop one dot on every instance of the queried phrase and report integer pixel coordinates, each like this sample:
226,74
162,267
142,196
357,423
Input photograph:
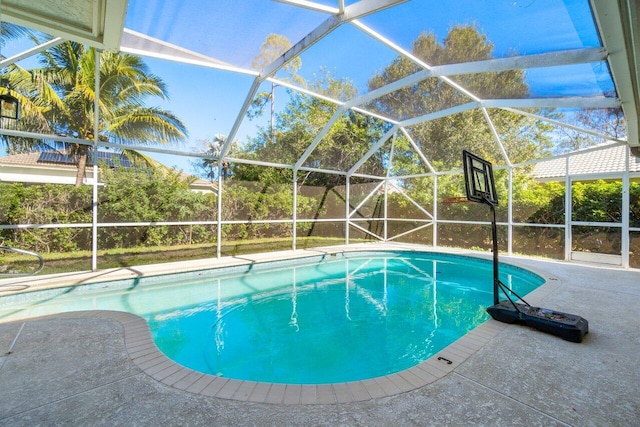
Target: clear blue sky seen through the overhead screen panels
208,100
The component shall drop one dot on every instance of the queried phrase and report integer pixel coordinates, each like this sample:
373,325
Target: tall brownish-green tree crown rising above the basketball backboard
442,140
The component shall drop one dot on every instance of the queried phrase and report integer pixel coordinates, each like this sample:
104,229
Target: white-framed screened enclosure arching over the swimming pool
207,128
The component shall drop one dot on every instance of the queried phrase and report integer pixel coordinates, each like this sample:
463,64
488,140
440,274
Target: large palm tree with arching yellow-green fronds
61,93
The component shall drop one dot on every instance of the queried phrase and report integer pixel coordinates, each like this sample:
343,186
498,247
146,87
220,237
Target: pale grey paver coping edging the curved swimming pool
144,353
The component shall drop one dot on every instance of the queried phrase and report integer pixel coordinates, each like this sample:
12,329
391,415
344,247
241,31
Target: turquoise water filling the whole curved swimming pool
311,321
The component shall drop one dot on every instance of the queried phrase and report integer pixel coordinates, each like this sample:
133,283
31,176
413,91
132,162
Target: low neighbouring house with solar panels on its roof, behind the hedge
59,168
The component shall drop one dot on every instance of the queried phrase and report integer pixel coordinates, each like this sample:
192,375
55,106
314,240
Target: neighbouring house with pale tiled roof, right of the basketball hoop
603,162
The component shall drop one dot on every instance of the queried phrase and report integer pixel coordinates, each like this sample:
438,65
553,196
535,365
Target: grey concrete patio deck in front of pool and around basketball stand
78,369
